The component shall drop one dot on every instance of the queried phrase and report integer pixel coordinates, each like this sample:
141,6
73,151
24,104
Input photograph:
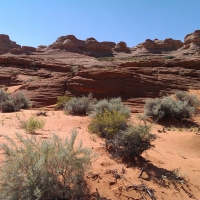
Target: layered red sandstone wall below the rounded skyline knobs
44,79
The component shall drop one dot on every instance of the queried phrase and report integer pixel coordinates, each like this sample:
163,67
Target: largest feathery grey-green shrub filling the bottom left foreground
43,169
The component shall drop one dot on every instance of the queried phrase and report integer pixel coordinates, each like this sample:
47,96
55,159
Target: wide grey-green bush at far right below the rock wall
184,106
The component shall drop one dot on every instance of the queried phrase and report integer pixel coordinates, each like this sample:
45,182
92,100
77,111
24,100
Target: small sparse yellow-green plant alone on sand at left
32,124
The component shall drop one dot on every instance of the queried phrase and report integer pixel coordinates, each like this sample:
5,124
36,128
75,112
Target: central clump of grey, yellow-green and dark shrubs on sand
110,120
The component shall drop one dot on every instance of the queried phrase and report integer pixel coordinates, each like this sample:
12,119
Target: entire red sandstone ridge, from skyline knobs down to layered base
68,67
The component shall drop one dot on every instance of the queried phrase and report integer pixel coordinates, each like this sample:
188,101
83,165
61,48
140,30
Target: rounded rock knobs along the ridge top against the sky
91,47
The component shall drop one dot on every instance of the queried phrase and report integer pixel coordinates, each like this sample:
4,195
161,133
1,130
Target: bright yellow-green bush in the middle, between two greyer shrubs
108,123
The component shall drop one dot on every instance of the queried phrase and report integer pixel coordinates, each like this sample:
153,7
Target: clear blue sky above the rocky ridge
41,22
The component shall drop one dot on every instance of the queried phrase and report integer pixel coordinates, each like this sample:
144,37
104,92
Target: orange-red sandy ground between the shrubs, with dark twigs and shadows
171,169
